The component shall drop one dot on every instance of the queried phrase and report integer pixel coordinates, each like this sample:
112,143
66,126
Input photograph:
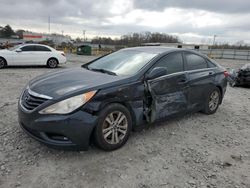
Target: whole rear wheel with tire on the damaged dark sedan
212,101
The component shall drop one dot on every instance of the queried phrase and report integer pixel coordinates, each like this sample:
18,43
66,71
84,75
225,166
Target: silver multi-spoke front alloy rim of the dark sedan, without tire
115,127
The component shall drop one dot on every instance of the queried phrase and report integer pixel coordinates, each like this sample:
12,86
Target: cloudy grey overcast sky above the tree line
191,20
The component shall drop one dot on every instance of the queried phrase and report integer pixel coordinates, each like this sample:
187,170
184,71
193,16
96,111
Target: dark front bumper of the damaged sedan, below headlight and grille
71,131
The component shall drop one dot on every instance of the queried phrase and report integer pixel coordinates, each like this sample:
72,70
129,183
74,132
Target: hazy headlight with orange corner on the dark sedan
68,105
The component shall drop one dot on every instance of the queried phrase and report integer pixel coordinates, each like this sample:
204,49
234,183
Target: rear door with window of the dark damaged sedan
201,79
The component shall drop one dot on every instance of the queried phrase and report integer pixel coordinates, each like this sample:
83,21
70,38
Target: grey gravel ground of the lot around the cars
193,151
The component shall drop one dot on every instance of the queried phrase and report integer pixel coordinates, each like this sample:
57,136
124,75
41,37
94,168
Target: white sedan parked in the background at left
31,54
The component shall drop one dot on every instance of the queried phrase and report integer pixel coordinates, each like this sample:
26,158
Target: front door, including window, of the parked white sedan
24,56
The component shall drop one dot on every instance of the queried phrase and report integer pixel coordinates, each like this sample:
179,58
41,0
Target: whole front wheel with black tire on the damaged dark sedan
109,135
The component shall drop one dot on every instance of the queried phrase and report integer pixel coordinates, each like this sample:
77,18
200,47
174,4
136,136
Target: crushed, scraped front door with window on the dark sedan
169,92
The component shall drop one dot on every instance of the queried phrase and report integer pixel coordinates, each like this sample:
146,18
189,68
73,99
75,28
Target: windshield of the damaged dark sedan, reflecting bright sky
124,62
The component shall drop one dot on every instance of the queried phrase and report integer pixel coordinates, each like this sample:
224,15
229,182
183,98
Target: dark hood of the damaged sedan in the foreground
71,81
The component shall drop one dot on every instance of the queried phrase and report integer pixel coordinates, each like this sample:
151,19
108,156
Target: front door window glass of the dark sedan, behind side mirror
172,62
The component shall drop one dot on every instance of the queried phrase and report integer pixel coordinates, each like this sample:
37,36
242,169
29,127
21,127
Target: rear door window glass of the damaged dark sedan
195,62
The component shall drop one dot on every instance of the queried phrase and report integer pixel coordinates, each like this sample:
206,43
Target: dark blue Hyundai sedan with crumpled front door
102,101
